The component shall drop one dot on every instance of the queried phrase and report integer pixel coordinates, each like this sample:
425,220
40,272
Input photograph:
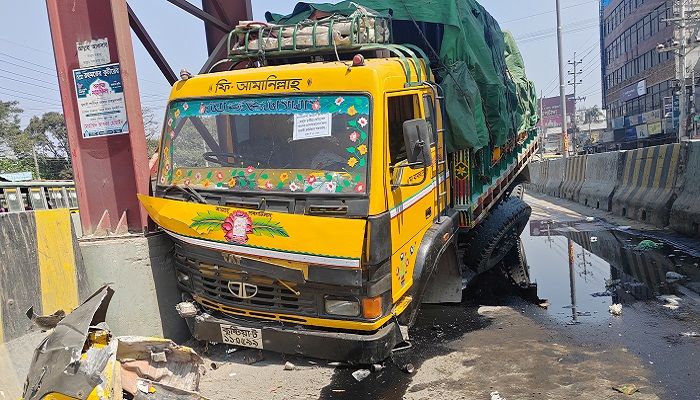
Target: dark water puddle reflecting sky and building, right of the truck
583,267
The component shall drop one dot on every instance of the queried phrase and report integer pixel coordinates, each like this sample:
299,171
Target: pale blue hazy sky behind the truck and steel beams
28,74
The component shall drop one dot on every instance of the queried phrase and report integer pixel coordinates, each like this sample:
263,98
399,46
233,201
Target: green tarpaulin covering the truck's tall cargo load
488,96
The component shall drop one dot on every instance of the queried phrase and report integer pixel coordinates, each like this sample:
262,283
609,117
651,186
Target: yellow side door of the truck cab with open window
410,192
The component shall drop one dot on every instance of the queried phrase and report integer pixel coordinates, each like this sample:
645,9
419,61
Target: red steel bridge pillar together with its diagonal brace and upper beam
110,169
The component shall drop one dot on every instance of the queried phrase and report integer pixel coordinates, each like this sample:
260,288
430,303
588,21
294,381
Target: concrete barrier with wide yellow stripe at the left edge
40,267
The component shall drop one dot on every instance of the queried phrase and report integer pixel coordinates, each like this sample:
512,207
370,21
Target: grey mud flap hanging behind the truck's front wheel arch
445,284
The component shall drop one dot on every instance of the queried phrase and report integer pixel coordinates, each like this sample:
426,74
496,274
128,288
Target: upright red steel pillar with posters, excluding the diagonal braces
110,169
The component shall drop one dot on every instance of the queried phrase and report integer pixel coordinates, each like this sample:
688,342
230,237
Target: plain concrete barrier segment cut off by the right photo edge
685,213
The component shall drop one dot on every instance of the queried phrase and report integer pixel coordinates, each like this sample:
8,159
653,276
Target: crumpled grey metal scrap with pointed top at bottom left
56,363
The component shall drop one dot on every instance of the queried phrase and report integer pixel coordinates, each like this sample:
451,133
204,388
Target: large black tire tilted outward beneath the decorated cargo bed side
489,243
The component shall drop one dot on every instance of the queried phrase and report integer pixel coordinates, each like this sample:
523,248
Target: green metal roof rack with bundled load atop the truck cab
369,34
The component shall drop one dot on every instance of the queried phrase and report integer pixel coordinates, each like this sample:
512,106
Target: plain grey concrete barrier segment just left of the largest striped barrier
603,172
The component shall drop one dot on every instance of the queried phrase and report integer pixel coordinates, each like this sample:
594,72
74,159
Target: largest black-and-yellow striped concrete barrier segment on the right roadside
648,185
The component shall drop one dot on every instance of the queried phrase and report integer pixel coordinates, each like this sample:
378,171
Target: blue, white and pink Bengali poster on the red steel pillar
101,101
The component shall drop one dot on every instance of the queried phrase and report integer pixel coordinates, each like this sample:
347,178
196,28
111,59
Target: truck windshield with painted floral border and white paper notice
306,144
